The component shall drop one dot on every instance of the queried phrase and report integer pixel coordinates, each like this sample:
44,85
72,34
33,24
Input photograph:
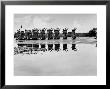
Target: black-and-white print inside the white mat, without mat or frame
55,44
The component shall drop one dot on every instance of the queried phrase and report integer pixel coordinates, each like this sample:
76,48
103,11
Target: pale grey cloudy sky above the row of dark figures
83,22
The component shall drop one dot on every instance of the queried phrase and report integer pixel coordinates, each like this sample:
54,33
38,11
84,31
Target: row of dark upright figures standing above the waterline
44,33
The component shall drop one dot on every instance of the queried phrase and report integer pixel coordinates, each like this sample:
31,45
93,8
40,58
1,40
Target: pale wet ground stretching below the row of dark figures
67,58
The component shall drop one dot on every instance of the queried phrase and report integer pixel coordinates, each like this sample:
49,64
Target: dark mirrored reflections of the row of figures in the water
22,48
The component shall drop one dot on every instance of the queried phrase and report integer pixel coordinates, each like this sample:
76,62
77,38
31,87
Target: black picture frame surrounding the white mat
4,3
